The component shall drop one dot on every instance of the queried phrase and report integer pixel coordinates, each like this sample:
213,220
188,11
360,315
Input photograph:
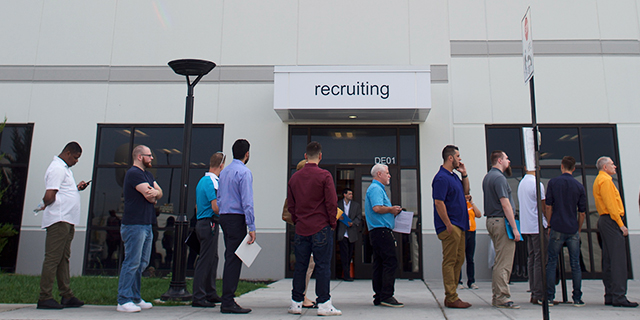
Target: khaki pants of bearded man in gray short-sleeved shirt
505,251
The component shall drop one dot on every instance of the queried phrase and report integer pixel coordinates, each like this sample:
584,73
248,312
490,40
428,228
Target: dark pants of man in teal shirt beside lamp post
205,273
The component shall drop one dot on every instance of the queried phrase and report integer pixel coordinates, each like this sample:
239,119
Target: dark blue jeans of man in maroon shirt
321,245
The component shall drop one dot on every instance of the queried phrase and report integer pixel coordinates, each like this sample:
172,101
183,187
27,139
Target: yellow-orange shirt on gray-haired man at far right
607,198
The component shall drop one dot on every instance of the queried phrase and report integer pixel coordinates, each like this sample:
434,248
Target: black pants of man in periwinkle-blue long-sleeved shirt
234,228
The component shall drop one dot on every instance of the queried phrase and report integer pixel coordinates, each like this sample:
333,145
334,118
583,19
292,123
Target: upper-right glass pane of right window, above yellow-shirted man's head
597,142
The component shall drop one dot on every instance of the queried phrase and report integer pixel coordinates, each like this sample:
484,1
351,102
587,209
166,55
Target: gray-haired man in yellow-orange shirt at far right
612,231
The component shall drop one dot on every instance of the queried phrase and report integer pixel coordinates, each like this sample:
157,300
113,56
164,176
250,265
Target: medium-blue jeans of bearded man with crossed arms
137,253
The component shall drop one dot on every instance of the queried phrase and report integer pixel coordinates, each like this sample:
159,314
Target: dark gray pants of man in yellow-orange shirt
614,260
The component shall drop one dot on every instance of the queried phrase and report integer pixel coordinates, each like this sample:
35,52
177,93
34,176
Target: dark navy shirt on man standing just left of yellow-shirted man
567,197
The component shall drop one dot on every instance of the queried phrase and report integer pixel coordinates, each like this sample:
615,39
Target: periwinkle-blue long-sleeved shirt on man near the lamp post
235,194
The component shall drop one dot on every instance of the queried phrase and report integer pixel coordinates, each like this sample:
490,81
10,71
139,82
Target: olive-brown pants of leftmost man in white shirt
57,250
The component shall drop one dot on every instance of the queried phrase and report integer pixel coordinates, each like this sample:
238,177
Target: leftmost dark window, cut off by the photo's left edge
15,149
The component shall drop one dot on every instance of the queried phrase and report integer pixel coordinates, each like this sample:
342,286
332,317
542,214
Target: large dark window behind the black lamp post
112,160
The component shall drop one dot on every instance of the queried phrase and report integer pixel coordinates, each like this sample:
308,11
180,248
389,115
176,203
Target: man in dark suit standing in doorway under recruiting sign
349,232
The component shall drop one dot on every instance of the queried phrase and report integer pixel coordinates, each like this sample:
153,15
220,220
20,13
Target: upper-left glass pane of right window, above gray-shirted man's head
508,140
